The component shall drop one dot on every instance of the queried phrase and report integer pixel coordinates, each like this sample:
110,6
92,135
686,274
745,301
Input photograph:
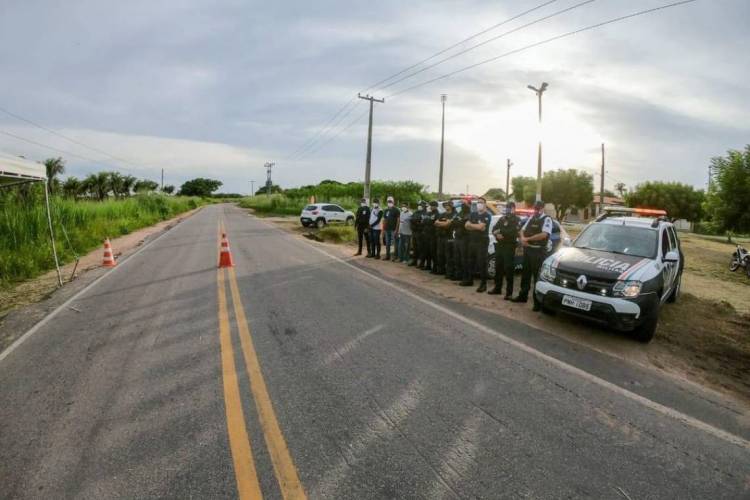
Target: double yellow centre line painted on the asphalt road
239,442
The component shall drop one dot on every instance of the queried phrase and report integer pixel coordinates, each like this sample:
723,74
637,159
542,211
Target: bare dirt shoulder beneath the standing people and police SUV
702,338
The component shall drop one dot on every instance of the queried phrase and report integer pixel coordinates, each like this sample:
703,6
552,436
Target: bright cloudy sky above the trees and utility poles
217,88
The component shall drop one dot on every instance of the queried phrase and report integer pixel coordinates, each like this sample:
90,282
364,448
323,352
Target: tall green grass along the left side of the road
25,249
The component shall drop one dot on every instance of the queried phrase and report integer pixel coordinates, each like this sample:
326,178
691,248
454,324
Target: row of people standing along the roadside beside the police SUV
455,242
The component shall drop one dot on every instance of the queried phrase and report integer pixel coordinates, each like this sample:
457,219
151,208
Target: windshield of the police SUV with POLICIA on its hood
629,240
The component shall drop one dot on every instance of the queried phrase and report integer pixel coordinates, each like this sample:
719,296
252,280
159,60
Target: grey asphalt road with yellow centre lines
297,374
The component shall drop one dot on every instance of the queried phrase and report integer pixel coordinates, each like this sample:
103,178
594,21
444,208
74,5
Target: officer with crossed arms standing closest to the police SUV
534,236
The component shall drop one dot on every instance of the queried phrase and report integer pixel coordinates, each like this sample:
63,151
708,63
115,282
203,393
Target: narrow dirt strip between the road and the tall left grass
40,288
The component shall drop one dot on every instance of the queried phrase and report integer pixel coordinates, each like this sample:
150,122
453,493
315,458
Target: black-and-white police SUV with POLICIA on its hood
618,271
